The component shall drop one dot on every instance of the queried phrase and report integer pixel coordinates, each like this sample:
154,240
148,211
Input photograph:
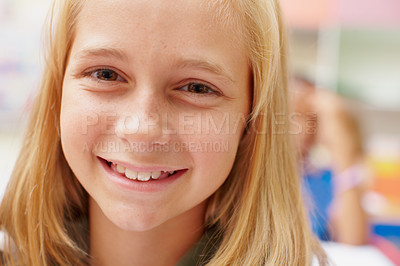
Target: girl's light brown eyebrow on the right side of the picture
205,65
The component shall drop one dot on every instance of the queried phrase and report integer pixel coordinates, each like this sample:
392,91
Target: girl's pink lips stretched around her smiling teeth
150,186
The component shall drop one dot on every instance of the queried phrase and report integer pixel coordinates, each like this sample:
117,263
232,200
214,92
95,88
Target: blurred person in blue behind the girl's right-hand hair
335,190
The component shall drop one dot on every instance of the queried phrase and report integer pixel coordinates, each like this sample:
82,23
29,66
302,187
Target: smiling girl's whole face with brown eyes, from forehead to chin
155,99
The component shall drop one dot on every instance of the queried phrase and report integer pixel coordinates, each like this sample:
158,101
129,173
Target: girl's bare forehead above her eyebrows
180,21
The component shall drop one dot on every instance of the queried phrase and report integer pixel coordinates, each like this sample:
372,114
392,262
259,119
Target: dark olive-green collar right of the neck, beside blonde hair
203,251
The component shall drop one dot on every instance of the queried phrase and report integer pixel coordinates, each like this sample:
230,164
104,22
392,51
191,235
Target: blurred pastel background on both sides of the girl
350,47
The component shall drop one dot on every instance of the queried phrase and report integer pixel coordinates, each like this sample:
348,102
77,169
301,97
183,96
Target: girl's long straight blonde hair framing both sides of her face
258,209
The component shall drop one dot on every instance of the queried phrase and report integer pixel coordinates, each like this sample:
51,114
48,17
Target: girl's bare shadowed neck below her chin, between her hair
163,245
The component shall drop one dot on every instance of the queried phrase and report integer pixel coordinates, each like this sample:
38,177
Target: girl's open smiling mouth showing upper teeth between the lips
140,176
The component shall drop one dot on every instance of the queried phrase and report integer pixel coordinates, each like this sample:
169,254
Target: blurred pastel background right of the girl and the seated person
352,47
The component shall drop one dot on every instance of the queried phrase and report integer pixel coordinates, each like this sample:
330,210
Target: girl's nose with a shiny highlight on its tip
142,120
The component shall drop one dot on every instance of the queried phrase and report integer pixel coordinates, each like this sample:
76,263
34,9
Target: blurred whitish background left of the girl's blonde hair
21,24
